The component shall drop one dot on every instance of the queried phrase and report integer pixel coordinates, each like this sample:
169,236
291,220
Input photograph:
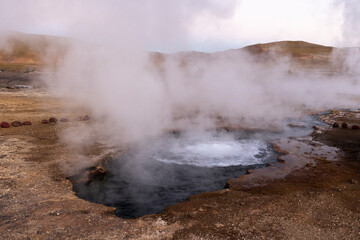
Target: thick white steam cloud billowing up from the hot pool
136,93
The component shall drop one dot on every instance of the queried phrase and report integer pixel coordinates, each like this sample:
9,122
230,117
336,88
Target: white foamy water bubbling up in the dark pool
214,152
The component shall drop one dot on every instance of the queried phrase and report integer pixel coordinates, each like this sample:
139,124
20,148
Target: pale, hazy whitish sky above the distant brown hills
180,25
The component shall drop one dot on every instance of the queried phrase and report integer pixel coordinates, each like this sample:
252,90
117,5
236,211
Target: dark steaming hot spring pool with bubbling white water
161,171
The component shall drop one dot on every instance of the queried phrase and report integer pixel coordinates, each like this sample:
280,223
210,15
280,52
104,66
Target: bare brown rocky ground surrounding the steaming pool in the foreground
313,192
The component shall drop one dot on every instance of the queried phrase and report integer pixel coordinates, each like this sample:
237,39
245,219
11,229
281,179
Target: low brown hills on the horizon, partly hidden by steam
31,49
